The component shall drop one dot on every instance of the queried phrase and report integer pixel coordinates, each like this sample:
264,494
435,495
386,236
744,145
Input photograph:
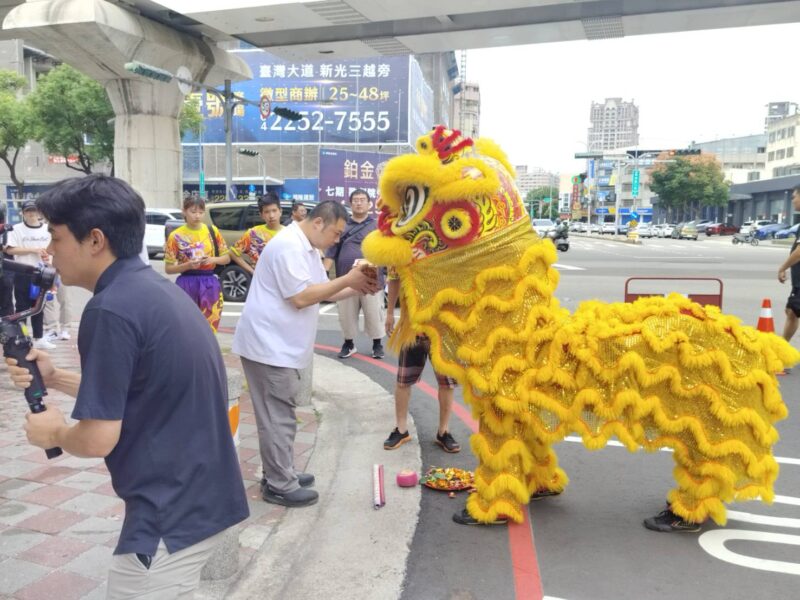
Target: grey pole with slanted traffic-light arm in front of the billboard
228,100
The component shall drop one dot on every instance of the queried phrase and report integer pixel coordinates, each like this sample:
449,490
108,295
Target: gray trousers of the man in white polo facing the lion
273,391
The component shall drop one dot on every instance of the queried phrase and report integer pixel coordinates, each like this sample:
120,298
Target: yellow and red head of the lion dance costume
452,193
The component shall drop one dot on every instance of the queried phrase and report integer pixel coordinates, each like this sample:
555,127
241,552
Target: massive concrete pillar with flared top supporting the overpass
98,37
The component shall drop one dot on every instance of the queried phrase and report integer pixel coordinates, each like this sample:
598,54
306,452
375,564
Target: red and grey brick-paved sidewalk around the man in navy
59,519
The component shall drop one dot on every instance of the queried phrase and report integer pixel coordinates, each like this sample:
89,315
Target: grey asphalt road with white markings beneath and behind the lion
589,541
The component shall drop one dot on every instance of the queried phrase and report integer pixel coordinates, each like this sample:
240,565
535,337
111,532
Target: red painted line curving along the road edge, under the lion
524,563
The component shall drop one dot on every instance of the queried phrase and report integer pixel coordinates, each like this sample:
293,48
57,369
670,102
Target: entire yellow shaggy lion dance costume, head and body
660,372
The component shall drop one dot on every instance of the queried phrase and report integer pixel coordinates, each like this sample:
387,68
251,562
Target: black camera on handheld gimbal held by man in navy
16,343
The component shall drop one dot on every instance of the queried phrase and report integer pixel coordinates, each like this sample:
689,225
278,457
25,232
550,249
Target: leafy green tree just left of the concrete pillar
73,118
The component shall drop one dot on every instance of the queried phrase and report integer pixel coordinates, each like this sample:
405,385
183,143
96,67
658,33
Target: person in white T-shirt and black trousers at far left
27,243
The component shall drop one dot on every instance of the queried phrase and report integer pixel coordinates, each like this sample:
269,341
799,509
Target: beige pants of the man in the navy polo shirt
170,576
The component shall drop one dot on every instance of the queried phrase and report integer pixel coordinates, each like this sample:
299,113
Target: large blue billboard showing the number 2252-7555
378,100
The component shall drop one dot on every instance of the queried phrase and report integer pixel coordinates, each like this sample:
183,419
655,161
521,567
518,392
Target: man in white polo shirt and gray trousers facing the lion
275,338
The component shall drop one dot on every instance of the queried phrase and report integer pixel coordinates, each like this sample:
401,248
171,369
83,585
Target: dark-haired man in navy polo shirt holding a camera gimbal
151,397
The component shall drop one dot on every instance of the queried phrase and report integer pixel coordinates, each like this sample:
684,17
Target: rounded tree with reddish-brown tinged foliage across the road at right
688,183
